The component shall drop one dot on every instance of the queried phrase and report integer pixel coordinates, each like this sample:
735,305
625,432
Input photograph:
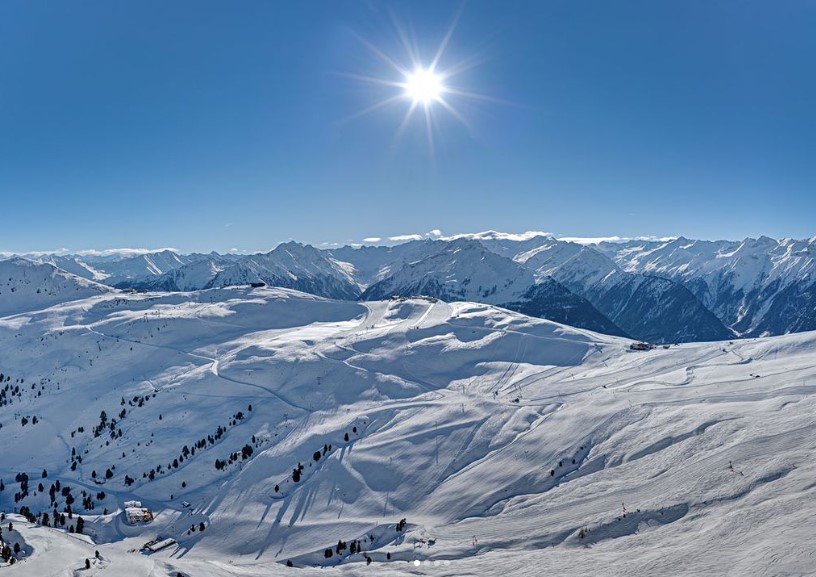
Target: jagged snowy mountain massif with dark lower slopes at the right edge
756,286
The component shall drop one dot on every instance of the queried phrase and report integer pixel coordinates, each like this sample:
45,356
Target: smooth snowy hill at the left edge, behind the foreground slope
26,285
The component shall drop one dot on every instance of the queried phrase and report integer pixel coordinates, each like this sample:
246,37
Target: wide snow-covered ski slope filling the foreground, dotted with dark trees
518,446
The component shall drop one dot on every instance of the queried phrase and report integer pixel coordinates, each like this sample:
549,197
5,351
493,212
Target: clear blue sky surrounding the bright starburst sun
217,125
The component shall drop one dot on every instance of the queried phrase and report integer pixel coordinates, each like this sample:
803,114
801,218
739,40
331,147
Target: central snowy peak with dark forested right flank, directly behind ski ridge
464,270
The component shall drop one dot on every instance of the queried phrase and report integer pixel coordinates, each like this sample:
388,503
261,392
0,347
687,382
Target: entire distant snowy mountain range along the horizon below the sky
678,290
